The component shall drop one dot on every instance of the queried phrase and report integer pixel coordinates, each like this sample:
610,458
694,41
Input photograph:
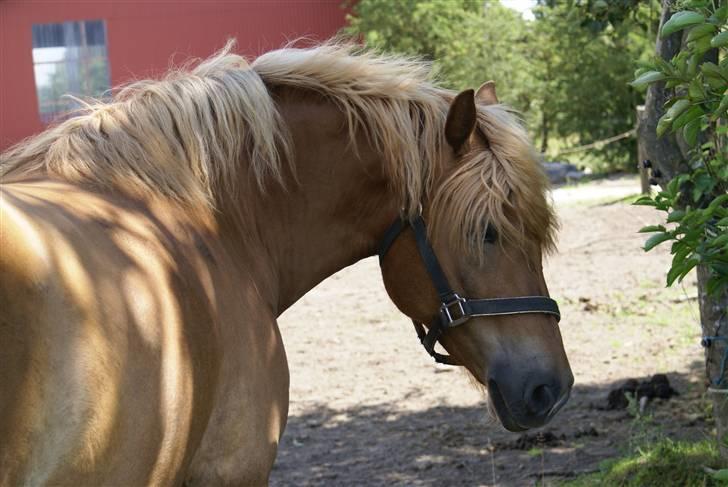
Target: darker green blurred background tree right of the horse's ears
586,52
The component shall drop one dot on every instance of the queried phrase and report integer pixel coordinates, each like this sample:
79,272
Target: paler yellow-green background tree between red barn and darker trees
467,43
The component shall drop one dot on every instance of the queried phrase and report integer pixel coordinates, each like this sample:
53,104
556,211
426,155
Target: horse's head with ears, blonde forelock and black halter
481,237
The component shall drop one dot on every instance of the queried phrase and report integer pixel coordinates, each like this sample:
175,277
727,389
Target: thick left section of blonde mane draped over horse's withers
182,136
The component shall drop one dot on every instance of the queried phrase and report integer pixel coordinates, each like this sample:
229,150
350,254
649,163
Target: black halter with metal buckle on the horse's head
454,309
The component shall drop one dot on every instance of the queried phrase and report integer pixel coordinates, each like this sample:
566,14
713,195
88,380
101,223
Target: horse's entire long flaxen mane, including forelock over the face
188,136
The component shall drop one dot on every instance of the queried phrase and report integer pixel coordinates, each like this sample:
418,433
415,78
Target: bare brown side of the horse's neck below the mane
333,216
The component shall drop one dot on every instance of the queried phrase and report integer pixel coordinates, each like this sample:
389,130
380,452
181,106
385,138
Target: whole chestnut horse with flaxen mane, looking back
149,243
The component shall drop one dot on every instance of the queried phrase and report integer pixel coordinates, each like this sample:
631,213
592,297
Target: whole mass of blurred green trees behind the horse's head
566,70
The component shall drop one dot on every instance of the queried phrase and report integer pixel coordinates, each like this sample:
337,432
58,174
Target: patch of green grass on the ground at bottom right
662,464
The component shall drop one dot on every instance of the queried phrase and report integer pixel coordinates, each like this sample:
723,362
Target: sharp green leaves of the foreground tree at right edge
695,203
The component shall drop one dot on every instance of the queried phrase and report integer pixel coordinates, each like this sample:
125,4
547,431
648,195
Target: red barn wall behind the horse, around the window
145,37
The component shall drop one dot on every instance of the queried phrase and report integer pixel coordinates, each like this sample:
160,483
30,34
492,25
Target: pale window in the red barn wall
69,58
